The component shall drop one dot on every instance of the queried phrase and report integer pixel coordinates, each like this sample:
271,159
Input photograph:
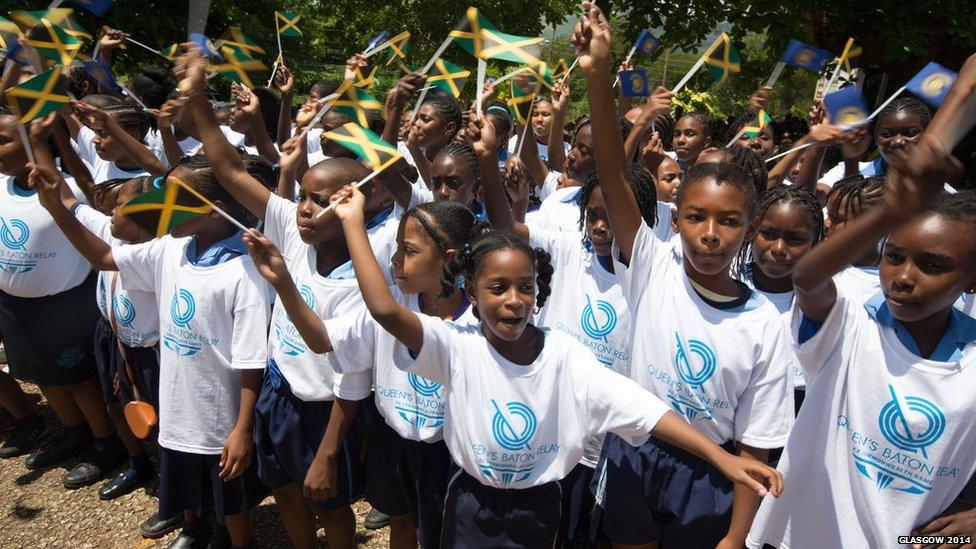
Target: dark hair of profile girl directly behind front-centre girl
449,225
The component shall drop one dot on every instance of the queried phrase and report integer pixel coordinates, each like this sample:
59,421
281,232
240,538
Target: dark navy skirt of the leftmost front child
49,339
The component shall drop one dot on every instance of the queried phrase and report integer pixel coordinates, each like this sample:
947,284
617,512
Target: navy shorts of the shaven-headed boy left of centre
287,434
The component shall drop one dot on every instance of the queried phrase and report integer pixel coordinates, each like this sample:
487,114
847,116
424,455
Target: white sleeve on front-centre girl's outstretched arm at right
617,404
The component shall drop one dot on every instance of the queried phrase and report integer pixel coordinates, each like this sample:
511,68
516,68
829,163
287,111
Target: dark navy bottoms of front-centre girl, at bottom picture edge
479,516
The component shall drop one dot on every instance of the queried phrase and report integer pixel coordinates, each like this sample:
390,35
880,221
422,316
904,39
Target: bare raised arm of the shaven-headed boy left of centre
224,159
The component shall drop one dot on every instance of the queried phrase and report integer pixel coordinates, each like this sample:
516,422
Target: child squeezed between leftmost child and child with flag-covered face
127,334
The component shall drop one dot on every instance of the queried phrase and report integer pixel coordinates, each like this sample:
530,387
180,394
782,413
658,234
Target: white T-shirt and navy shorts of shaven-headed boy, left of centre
300,386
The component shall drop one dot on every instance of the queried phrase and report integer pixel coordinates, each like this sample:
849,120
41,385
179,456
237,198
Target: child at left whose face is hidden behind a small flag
213,317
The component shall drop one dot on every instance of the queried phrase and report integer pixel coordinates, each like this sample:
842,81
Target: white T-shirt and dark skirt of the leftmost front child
47,294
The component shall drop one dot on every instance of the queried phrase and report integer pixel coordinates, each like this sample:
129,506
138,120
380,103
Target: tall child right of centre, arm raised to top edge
703,341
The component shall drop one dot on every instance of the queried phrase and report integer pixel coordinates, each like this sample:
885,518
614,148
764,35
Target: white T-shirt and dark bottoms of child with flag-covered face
213,319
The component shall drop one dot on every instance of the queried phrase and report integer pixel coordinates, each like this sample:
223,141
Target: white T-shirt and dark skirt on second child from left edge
136,319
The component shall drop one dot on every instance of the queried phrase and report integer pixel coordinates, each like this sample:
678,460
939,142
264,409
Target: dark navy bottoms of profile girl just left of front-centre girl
407,476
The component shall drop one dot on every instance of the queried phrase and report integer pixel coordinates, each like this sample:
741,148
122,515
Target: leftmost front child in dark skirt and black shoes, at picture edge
47,318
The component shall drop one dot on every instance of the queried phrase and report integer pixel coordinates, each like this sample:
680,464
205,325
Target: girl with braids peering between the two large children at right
790,224
